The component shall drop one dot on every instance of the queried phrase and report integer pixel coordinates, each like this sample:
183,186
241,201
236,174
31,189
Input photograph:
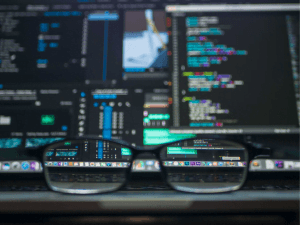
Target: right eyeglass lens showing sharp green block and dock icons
205,166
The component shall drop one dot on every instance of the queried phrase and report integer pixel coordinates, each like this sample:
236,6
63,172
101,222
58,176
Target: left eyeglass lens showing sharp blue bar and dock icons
86,166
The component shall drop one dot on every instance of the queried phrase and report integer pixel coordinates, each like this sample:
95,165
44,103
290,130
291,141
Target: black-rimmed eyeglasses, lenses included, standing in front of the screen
93,166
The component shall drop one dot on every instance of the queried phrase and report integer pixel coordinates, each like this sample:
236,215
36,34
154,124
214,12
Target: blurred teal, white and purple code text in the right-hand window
204,49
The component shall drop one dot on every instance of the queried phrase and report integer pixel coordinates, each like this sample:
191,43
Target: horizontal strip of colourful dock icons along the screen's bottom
148,165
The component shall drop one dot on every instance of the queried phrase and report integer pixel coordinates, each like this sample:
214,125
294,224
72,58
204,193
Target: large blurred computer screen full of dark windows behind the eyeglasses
145,72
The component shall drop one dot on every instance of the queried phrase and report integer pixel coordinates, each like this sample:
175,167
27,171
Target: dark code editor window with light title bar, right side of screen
234,68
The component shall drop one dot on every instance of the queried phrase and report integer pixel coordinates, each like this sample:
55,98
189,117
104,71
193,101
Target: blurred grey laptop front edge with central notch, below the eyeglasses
150,202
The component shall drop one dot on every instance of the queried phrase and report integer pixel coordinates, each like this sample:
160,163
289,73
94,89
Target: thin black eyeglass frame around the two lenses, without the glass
136,151
